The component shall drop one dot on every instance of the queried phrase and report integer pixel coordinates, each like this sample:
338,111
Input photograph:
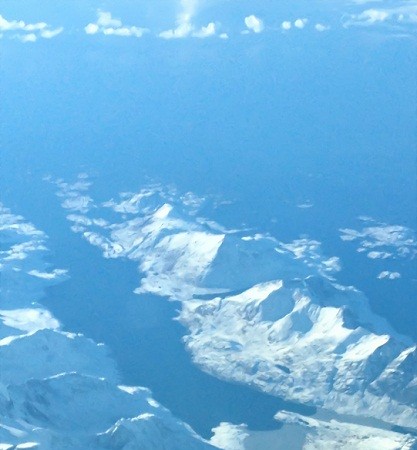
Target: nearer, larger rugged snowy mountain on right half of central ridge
308,341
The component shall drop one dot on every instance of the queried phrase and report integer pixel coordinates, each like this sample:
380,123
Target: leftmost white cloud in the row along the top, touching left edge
27,32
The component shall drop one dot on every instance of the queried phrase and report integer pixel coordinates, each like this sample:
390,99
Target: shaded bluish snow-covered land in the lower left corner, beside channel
61,390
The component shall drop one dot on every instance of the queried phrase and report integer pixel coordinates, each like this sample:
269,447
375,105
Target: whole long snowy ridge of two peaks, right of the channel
258,311
